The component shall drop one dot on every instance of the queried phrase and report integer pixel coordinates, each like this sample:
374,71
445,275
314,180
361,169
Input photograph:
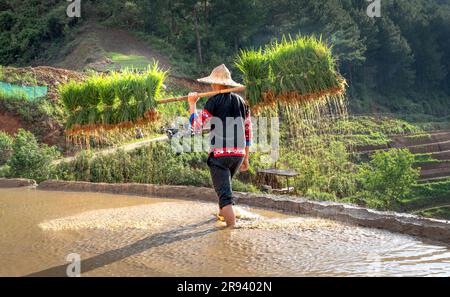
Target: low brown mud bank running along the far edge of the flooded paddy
395,222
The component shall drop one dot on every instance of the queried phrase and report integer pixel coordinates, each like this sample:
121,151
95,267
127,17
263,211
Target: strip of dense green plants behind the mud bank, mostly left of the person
155,164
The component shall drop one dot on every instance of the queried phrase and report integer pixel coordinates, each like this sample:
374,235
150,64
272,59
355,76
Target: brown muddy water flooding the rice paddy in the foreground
133,236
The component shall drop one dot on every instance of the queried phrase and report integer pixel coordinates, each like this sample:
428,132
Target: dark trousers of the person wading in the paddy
222,171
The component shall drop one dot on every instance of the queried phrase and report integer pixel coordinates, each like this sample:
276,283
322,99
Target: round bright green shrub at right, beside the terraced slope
387,178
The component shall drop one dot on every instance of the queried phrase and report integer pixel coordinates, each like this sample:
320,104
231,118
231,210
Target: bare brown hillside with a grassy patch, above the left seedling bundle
101,49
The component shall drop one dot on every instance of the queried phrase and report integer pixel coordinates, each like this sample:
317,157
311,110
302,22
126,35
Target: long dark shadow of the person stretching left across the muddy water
140,246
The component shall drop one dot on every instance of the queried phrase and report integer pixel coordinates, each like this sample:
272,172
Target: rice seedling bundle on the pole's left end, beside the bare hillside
109,102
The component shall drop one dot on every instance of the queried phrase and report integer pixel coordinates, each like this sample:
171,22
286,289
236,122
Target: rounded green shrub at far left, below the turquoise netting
30,159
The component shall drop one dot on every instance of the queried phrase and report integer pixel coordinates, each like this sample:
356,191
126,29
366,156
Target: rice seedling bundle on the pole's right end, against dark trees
293,71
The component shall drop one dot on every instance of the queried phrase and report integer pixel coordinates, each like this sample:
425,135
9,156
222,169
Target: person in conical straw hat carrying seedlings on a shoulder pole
231,136
